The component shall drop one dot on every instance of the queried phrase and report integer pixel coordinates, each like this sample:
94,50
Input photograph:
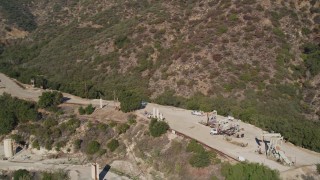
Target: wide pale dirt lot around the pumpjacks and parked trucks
183,121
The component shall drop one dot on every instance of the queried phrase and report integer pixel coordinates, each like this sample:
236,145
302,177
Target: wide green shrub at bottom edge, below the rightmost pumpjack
243,171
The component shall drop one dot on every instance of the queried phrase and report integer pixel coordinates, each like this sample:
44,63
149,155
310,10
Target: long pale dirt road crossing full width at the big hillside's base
181,120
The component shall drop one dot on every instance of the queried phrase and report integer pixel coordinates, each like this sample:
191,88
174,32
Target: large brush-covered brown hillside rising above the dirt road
255,59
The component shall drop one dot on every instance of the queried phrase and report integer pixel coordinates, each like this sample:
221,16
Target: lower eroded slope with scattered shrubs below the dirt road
127,145
